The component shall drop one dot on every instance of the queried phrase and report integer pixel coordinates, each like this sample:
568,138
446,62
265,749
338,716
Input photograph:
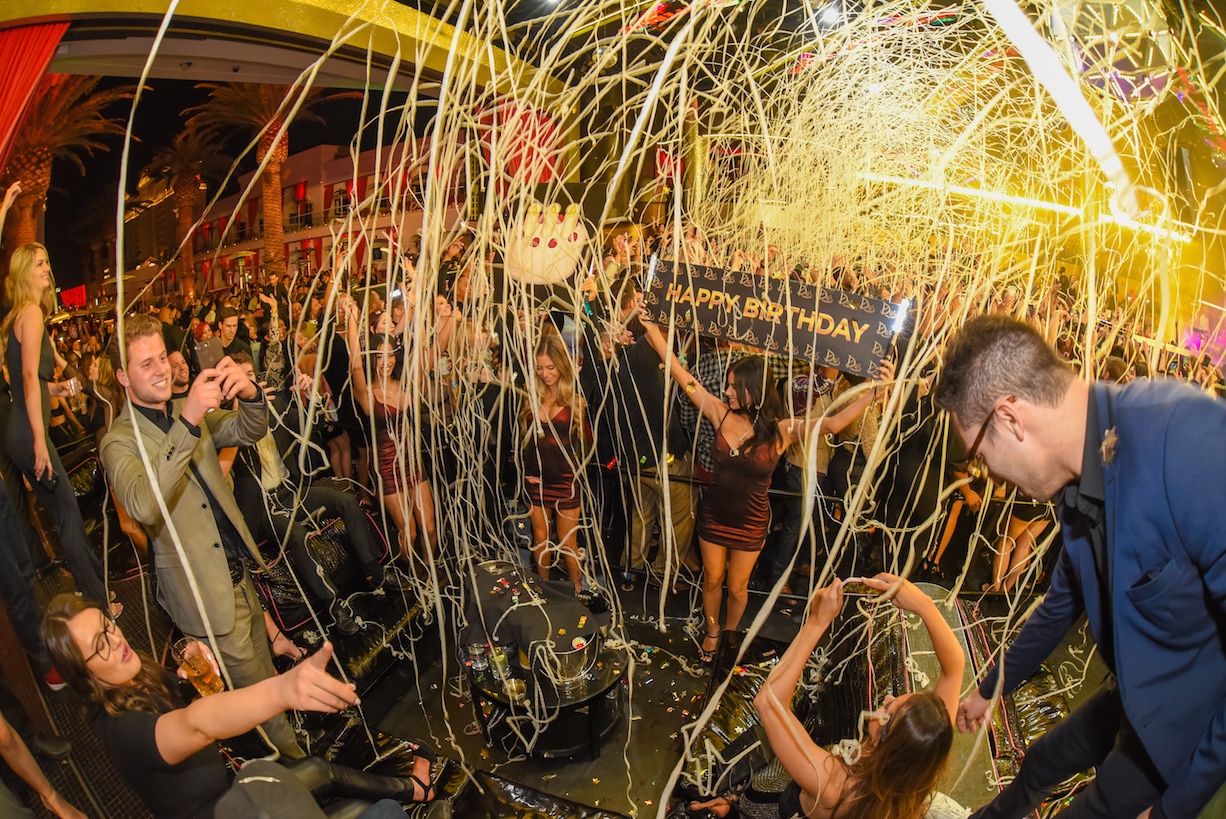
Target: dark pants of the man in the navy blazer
1098,735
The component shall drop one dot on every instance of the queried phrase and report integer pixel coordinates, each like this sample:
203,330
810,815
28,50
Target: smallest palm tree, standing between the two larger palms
186,164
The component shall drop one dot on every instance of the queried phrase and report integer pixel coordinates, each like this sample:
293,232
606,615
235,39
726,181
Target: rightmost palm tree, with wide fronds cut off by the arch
256,106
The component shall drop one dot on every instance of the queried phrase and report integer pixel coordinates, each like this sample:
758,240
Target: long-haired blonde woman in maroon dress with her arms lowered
555,430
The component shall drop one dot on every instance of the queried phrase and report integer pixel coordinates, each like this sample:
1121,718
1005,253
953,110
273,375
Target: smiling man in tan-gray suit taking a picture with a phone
182,440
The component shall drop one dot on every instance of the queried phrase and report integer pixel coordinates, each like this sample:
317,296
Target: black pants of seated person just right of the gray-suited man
357,528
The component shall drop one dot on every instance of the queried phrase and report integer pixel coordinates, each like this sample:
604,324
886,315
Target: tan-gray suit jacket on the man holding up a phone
171,455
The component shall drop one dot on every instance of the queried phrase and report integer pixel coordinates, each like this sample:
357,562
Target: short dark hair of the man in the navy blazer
994,357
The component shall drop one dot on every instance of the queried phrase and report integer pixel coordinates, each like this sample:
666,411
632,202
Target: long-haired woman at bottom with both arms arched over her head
900,761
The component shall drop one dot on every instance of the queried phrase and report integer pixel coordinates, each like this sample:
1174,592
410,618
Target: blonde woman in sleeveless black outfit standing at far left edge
31,360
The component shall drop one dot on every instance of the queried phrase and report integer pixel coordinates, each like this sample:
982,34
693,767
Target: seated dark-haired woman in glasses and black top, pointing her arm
169,753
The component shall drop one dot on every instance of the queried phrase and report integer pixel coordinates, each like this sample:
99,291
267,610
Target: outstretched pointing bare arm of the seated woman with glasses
307,687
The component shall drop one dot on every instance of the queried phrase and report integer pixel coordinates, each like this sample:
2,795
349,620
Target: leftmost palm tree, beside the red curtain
66,118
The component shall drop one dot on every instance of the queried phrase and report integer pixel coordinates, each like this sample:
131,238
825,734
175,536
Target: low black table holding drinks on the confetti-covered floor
576,715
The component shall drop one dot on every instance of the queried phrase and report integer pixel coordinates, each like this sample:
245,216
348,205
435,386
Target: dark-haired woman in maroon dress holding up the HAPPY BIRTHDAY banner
752,433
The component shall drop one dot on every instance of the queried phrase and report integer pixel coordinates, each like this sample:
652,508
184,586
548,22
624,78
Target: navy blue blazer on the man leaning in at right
1165,505
